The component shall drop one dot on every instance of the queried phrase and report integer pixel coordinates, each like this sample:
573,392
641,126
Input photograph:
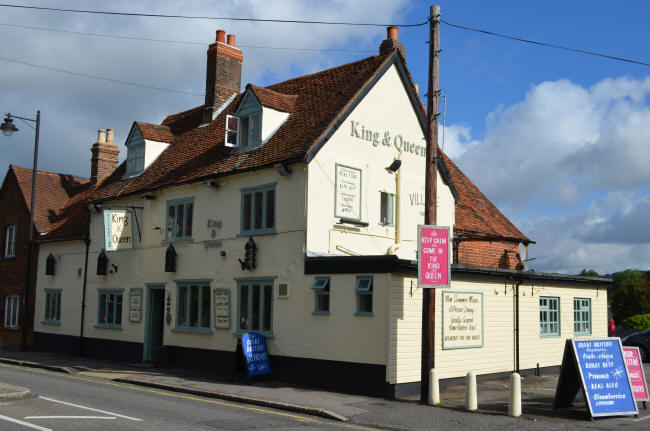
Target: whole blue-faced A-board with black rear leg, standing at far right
597,366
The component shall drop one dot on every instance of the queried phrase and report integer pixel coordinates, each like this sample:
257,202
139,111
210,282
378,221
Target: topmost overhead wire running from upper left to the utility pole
214,18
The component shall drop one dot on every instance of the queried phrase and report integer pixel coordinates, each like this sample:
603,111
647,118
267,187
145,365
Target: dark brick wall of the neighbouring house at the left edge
14,211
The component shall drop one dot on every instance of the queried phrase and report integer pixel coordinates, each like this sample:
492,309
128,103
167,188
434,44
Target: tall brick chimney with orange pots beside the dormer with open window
223,74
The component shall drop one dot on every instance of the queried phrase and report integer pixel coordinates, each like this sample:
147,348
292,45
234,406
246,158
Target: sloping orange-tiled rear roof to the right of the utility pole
475,214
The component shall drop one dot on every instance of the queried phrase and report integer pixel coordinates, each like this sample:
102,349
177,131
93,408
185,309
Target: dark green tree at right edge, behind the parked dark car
631,294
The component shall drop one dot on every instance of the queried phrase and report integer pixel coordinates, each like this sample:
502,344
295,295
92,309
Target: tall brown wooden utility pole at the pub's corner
430,196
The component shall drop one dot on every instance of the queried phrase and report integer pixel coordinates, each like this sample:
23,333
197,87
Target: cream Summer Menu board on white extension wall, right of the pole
462,320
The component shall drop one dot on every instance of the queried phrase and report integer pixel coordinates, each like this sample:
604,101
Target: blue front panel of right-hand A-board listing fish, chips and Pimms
605,380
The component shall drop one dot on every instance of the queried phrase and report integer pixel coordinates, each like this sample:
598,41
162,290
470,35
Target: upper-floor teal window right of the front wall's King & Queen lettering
258,210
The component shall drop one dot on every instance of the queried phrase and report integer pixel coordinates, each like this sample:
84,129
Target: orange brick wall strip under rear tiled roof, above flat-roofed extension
491,254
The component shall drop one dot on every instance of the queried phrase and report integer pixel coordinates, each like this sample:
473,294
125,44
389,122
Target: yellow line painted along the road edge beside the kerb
177,395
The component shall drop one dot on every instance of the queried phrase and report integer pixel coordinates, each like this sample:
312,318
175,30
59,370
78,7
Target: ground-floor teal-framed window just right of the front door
193,306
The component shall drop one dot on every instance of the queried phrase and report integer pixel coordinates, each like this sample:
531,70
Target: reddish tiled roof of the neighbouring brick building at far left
52,193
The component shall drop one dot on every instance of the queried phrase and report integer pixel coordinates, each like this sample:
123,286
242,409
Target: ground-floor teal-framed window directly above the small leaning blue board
255,305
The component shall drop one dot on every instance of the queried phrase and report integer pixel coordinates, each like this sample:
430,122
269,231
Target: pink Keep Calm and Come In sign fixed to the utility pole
434,266
